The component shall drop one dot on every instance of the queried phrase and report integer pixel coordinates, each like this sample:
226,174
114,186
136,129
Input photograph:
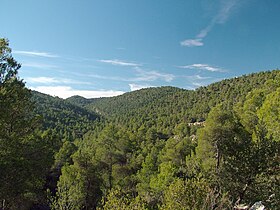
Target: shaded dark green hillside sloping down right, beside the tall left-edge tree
68,119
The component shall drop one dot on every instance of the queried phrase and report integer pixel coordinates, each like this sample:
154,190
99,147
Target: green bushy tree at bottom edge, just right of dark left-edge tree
79,184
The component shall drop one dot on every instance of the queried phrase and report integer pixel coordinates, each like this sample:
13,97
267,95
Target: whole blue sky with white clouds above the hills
97,48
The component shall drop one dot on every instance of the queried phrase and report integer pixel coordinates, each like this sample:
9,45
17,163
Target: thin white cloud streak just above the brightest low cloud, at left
51,80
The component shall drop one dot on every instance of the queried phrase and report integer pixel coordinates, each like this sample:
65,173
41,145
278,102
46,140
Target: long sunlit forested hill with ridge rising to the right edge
174,105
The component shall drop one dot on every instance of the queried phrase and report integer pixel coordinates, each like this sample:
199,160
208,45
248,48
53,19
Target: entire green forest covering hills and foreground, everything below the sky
216,147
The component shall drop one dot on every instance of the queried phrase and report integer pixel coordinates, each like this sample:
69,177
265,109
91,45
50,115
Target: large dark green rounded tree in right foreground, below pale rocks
225,149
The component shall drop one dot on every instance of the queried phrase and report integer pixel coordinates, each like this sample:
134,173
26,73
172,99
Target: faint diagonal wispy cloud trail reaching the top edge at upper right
226,8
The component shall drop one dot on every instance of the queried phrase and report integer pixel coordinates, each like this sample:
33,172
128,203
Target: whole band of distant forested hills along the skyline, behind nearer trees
161,107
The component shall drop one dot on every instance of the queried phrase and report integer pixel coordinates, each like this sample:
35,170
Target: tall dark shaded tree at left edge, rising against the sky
25,154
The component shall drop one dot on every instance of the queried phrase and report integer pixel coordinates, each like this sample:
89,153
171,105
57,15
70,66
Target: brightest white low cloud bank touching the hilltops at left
66,92
